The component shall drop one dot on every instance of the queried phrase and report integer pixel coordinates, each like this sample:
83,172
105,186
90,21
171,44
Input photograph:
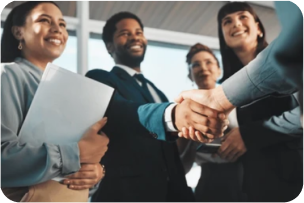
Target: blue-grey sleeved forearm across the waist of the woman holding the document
24,165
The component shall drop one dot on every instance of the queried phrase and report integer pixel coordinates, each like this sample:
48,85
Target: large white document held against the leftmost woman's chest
65,105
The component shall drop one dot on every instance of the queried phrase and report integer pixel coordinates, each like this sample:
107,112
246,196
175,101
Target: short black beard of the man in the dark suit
130,60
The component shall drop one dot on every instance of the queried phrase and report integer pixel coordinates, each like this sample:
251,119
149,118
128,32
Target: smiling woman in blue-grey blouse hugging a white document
34,34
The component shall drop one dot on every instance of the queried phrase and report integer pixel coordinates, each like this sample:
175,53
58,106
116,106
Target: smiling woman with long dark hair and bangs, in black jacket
268,159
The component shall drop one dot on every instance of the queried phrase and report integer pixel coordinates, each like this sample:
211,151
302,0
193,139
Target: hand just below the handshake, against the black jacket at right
233,146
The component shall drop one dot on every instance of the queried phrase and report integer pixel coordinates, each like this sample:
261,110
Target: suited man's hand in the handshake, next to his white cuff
208,121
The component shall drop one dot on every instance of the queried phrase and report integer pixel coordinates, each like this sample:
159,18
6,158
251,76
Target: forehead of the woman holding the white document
45,8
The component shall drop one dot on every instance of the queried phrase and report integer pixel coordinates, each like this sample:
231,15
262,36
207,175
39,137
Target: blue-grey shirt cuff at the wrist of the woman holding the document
70,158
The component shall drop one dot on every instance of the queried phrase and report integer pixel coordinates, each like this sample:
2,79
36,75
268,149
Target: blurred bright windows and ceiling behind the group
170,27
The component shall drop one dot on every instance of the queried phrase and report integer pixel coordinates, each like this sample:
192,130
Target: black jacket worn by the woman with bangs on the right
274,162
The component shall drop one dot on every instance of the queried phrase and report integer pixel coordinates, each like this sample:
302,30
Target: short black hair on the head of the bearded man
110,27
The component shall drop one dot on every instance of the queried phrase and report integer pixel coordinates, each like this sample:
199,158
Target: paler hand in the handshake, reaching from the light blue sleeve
213,98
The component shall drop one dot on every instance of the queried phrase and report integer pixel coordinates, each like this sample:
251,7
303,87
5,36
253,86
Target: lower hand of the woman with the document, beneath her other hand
87,177
